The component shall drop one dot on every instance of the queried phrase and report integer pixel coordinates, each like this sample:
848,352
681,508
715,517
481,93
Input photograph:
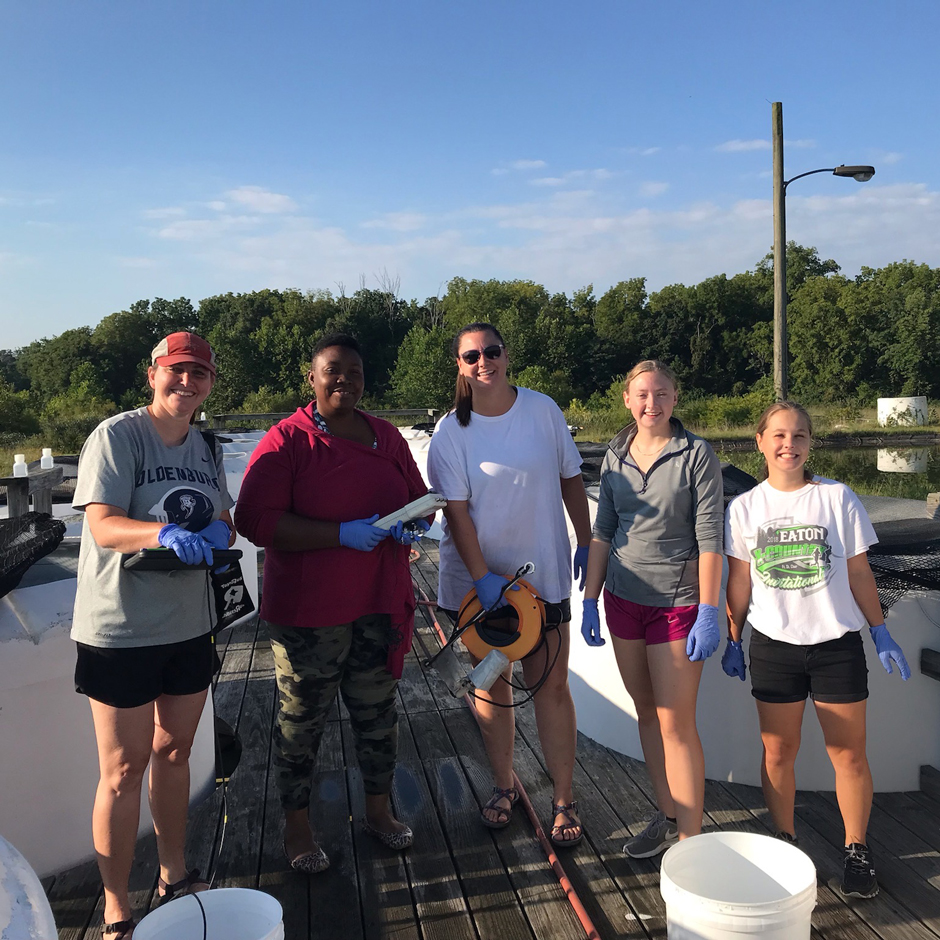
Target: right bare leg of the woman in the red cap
177,717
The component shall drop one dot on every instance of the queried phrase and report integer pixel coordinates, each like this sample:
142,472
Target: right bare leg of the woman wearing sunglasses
555,718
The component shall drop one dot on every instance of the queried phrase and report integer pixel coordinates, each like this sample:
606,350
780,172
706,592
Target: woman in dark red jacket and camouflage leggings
337,598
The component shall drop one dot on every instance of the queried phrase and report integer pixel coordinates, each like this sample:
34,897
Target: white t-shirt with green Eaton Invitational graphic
797,544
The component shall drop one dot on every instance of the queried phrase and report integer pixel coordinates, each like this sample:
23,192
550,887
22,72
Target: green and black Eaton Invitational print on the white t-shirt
792,557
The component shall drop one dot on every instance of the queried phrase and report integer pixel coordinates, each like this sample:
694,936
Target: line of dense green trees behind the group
851,339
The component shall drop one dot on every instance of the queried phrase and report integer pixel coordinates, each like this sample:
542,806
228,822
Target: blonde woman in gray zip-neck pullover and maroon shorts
657,546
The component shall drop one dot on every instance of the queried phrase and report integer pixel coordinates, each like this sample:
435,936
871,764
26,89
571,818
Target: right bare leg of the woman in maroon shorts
675,683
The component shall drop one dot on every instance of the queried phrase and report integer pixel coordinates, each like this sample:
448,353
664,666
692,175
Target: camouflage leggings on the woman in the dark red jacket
310,665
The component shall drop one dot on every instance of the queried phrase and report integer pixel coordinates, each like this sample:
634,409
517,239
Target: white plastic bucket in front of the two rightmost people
736,884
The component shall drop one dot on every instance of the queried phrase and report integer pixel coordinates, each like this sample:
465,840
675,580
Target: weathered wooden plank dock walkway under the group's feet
462,881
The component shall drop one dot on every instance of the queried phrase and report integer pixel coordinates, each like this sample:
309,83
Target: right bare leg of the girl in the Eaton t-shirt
843,727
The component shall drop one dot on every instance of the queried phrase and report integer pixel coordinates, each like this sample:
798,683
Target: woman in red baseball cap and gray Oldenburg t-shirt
147,478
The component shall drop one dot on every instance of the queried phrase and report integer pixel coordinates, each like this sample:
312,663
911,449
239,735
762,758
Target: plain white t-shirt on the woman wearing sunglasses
508,468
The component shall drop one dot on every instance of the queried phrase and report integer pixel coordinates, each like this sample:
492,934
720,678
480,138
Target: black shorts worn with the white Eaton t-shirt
834,671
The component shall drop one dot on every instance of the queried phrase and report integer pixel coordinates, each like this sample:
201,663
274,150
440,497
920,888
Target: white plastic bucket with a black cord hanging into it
231,914
